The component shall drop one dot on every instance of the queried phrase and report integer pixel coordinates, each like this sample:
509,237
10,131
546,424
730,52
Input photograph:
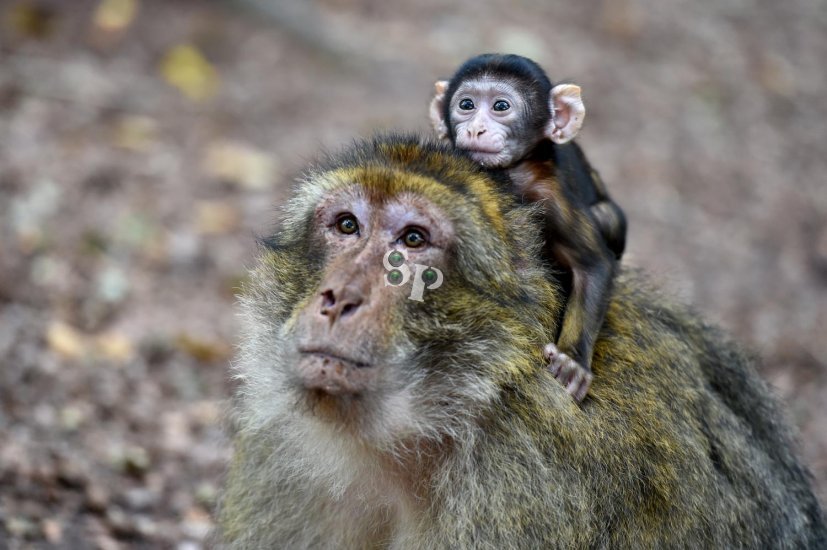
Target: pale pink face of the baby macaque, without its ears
491,121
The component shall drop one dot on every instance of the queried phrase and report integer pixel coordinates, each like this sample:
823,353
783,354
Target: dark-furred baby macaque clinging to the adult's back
504,113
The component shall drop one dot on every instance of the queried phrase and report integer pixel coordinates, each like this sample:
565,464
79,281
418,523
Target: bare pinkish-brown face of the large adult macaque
346,334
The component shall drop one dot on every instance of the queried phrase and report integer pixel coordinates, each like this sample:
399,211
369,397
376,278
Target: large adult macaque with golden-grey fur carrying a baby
365,419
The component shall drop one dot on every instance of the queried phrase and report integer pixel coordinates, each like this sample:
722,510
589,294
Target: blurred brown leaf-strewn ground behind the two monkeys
143,145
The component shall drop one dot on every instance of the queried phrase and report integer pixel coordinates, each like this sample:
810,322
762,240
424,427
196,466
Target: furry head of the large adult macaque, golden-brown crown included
327,330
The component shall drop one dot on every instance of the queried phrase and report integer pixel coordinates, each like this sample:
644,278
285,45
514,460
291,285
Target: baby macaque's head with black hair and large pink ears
499,107
